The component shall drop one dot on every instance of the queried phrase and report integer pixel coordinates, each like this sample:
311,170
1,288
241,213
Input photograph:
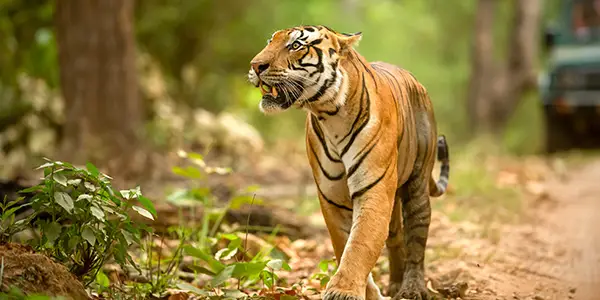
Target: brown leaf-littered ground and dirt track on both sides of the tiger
508,228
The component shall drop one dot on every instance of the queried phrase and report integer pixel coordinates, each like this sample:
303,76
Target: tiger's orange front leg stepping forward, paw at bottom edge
372,193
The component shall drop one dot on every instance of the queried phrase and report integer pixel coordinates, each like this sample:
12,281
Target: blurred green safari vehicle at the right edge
570,89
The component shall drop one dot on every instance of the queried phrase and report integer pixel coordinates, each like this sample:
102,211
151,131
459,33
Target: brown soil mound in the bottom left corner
35,273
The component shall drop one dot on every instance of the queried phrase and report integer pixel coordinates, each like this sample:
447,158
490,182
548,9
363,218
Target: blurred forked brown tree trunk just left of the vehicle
496,88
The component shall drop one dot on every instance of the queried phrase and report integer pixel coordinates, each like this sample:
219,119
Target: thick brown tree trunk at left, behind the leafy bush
98,80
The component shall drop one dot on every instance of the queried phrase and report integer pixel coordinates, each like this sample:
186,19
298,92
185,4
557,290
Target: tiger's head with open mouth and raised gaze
300,66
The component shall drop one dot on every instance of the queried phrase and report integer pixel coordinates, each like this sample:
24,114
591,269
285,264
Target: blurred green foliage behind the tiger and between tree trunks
203,48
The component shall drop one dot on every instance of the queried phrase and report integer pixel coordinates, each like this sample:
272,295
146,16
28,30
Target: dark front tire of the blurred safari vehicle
558,134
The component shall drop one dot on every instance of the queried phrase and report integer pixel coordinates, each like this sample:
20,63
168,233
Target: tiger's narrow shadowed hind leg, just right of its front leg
395,245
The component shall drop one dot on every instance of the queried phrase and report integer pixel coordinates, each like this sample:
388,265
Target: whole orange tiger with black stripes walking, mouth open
371,140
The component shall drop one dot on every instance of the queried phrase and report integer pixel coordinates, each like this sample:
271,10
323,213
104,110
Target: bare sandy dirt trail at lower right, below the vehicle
556,253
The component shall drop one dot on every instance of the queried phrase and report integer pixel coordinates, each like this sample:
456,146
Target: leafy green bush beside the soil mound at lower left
99,227
